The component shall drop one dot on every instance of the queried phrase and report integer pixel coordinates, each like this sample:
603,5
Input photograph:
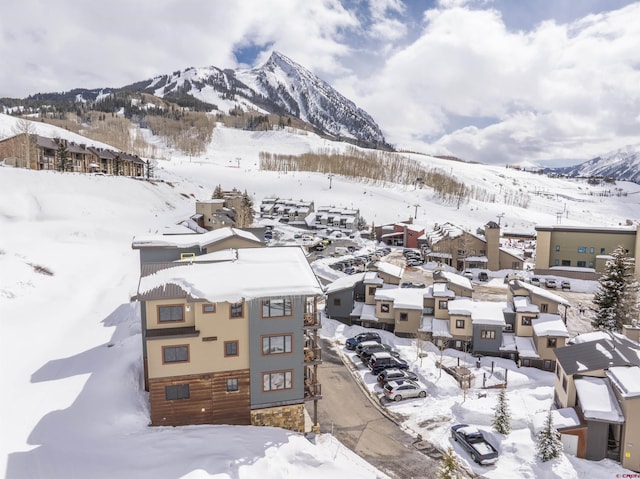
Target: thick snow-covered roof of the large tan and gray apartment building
255,273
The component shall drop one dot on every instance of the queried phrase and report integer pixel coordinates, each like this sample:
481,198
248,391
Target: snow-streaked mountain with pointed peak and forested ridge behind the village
280,87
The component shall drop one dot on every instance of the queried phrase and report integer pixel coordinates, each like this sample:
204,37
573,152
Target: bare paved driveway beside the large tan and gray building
353,417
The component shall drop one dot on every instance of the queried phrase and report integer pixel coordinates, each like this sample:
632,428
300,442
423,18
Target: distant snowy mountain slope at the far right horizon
622,164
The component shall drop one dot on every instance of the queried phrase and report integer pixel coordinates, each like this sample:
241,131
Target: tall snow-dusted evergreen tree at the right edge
616,299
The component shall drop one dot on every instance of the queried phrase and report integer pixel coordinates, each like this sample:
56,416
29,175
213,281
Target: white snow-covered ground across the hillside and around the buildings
73,405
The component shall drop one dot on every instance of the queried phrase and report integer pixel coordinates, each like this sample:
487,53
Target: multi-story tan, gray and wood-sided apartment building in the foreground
230,337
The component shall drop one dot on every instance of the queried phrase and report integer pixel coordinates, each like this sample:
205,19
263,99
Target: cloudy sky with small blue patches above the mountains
497,81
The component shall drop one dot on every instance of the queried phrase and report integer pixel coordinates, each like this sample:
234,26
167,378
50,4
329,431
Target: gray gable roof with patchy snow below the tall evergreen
599,354
